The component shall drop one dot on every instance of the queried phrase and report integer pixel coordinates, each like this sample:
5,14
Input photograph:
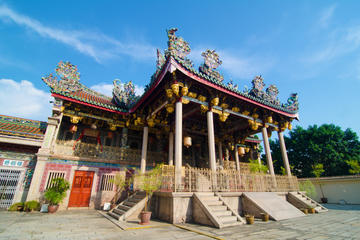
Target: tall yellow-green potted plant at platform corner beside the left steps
149,182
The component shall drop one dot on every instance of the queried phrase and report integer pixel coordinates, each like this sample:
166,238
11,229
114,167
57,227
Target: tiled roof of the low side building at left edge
20,127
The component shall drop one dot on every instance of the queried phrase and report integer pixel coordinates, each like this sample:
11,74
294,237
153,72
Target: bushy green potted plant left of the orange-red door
56,194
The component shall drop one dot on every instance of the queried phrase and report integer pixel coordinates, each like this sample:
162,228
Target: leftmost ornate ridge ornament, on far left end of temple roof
69,78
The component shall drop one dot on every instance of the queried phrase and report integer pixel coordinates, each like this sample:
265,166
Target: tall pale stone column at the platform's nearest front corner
178,143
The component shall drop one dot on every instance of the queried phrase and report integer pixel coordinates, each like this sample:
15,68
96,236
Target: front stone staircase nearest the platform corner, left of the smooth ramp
217,210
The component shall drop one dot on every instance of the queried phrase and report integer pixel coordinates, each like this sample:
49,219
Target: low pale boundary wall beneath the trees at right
343,189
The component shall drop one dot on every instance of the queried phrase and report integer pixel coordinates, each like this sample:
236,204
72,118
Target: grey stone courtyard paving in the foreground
340,222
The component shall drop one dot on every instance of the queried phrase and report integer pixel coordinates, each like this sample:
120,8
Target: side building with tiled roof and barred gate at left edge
20,140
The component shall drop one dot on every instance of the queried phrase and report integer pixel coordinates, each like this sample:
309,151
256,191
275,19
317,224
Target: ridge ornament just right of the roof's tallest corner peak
211,62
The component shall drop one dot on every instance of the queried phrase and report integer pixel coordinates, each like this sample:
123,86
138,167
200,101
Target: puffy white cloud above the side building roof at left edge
23,99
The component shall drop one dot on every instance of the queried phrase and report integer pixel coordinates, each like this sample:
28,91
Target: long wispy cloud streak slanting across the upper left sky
95,45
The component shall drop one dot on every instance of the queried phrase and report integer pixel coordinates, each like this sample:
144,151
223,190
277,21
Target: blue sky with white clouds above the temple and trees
308,47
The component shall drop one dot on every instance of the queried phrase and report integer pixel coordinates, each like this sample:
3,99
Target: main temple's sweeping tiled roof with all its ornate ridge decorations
65,83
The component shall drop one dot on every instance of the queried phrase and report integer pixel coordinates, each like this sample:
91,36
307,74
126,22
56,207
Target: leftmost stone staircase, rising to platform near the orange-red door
131,206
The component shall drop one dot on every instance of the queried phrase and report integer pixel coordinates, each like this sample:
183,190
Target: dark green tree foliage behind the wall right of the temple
327,145
